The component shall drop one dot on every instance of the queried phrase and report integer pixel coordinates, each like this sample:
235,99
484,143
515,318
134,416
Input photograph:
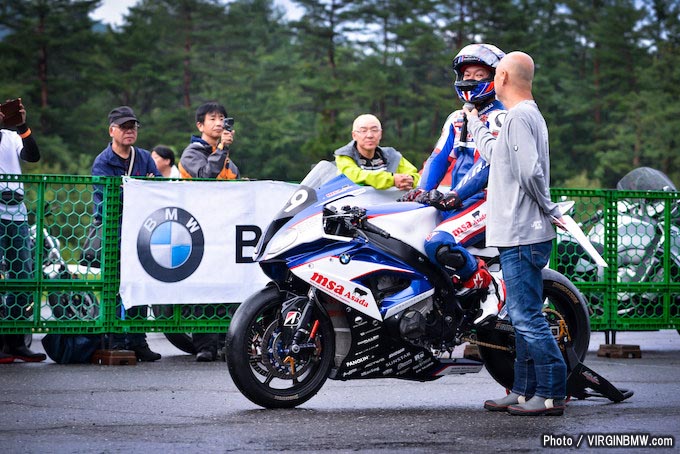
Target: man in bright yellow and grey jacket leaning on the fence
364,162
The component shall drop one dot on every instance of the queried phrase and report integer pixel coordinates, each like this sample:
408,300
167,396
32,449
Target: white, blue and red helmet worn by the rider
476,91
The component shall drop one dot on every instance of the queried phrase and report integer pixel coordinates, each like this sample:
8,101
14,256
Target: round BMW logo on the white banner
170,244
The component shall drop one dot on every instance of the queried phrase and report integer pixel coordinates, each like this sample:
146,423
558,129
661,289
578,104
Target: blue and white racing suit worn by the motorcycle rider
466,225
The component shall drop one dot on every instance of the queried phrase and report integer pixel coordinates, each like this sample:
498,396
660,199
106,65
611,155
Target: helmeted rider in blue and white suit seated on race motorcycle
464,207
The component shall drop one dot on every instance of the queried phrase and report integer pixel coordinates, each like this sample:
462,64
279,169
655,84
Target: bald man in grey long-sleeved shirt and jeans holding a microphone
519,223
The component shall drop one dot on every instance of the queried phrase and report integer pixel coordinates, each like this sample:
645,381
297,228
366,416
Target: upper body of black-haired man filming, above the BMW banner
207,156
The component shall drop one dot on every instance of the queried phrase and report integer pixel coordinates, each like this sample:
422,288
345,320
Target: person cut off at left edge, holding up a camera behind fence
15,146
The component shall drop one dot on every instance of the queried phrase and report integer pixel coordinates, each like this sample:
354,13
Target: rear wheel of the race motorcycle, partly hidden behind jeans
563,300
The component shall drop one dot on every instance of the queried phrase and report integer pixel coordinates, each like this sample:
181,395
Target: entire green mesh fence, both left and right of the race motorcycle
49,282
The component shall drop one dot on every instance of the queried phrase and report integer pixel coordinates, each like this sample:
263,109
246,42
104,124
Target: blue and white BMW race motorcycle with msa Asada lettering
353,295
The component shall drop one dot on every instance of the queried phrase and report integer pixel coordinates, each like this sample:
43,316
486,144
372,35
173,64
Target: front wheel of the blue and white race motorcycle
259,358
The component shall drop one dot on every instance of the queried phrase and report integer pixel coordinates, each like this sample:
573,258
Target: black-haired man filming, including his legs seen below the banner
207,156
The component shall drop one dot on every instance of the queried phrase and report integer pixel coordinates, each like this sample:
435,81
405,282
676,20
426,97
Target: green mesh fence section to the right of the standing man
637,234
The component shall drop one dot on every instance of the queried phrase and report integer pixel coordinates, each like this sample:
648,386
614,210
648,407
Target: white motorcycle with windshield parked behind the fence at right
640,229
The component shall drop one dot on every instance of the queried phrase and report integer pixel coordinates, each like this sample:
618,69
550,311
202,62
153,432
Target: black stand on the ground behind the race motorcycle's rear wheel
583,382
